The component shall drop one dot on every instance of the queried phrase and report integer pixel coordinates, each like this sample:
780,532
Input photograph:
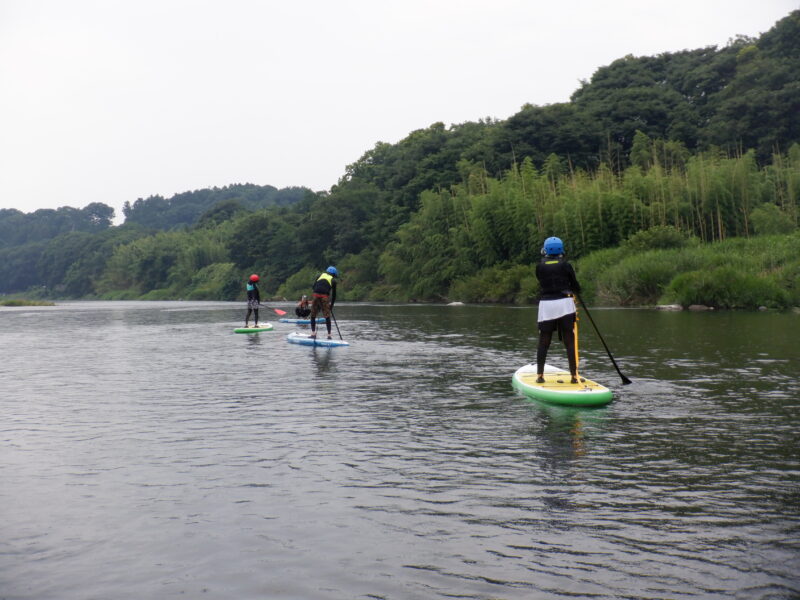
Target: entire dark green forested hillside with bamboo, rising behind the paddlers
683,148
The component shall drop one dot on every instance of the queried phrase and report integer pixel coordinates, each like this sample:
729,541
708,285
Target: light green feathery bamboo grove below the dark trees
486,223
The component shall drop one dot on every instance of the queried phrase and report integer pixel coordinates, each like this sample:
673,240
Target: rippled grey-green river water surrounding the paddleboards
146,451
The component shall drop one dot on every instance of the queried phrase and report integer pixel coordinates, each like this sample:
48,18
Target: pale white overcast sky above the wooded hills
114,100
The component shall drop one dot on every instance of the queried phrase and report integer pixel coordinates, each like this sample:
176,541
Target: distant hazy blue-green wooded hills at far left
64,252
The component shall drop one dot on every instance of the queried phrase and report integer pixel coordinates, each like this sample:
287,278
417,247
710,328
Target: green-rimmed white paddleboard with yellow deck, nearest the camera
557,388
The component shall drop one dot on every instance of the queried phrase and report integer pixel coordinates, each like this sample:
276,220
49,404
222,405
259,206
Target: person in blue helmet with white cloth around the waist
557,312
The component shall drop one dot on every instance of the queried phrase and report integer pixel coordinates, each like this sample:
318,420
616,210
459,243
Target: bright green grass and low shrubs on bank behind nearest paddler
660,266
